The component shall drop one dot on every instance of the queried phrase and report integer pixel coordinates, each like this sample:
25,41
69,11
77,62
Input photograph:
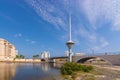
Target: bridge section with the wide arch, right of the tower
113,59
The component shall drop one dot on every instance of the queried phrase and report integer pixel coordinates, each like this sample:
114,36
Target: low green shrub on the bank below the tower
70,67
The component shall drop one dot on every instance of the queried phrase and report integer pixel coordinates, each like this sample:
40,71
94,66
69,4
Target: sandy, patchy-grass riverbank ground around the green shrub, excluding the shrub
99,73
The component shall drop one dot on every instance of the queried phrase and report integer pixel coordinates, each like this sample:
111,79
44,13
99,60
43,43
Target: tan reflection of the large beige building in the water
7,71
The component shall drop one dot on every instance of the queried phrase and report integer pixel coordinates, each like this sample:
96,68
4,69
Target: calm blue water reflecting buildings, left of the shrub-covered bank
29,71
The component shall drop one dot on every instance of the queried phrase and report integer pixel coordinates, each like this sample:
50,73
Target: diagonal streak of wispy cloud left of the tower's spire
49,12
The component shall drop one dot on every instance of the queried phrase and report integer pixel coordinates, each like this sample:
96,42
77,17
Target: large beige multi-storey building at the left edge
7,50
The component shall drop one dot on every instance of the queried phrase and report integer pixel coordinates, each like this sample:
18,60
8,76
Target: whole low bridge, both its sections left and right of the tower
113,59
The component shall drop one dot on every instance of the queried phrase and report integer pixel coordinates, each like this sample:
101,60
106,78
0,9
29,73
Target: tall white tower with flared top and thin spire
70,43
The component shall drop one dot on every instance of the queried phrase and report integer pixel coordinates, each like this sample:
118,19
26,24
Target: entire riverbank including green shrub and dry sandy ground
75,71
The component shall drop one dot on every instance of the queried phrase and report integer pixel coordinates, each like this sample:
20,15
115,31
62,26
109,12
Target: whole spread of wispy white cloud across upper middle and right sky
84,26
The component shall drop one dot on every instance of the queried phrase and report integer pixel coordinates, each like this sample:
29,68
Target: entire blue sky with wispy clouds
34,26
